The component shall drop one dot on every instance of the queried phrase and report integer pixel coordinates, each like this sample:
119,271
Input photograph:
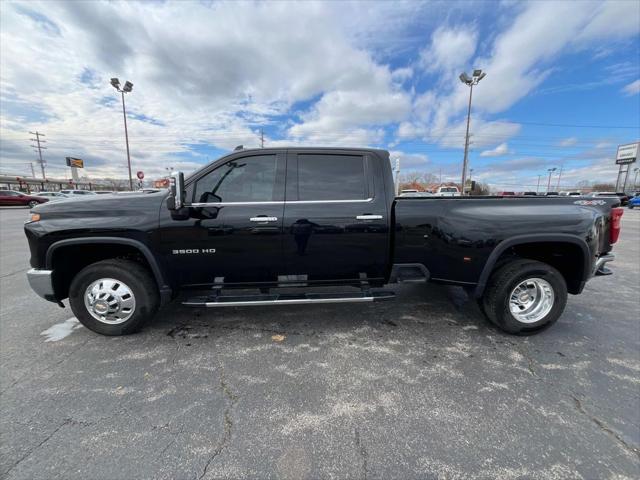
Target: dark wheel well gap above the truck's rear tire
567,258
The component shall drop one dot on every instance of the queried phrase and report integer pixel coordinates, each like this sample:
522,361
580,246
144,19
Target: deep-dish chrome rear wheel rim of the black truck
531,300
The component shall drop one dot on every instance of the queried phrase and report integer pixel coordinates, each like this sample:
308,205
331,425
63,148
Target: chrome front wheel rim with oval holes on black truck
110,301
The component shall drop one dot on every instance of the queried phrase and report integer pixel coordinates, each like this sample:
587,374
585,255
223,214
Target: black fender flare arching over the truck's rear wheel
532,238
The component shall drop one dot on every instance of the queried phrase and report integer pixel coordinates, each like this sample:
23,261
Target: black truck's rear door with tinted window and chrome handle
335,219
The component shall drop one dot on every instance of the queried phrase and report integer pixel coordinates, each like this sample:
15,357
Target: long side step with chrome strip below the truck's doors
287,299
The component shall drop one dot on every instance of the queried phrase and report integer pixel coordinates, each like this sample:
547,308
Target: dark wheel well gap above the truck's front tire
68,260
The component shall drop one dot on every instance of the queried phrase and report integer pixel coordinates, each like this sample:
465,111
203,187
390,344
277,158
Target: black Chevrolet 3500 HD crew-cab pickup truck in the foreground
267,226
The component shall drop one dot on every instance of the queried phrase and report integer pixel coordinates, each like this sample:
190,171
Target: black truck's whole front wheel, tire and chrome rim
123,283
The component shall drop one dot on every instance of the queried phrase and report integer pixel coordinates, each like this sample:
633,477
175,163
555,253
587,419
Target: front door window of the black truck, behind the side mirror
249,179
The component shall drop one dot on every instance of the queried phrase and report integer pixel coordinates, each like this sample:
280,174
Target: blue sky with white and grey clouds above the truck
562,85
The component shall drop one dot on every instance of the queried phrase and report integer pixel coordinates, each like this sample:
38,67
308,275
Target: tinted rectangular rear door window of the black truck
331,177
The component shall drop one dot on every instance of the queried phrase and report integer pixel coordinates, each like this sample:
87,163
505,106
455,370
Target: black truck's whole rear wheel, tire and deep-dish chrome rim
545,292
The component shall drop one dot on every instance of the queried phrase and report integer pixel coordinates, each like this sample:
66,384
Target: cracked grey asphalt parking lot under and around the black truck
417,388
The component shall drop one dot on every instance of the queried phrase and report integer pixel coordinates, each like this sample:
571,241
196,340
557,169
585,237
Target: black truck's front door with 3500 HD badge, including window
234,231
